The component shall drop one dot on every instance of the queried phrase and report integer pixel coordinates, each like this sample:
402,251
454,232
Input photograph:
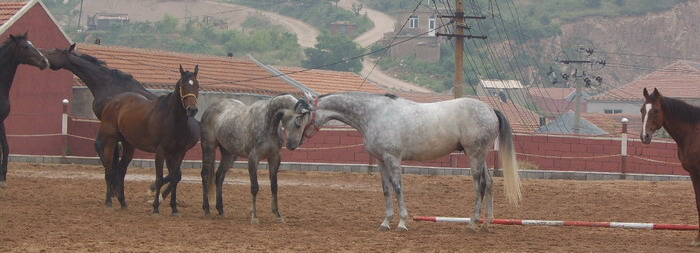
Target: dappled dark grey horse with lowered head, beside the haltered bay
256,132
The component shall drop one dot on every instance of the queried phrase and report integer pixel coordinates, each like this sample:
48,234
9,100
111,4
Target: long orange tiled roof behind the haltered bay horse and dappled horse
159,69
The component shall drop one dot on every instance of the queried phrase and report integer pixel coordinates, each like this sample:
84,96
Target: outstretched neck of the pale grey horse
347,108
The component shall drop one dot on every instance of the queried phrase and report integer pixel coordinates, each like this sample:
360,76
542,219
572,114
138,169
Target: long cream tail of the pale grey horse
506,153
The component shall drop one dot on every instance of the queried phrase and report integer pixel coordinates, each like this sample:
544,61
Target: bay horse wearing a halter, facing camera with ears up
161,126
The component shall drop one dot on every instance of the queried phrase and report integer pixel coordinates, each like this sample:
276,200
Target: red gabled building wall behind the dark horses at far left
36,95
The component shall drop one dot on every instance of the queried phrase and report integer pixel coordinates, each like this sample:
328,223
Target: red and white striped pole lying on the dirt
631,225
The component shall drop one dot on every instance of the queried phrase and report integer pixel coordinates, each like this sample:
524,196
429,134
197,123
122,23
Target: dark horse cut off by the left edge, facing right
13,52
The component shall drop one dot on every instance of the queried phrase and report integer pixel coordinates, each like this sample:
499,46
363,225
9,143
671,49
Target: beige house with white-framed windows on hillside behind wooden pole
425,47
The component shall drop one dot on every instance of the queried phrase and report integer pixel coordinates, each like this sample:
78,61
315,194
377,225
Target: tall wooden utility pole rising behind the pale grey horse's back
458,19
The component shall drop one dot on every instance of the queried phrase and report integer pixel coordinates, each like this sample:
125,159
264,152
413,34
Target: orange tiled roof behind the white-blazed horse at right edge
678,80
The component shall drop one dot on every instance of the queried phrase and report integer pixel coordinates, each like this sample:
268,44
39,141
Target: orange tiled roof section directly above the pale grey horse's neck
328,81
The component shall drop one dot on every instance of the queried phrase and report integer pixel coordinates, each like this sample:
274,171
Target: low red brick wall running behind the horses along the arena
547,152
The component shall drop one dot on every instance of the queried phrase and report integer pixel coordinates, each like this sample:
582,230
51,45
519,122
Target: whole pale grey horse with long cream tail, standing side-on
396,129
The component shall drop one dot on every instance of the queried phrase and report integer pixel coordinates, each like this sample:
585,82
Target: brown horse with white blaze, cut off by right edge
682,122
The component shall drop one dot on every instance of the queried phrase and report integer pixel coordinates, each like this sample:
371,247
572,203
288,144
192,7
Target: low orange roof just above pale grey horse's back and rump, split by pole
521,119
